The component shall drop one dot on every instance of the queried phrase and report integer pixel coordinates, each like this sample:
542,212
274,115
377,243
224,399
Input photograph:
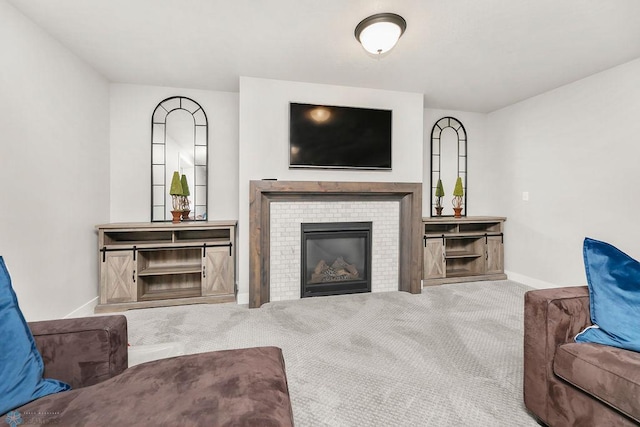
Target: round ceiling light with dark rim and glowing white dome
379,33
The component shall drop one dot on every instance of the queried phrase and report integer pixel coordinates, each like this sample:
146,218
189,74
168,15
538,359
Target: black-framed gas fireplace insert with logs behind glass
335,258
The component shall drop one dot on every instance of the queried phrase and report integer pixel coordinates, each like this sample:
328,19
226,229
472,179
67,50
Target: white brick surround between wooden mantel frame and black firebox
285,250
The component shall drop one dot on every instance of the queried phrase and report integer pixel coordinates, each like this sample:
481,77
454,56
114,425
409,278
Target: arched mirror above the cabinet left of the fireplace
179,143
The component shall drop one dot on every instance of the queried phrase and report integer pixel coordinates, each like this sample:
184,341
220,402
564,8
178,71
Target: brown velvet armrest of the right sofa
552,317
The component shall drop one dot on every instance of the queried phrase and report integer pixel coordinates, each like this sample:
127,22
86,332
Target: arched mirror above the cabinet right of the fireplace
448,162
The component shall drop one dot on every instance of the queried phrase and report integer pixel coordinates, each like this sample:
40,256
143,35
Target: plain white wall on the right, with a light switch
576,151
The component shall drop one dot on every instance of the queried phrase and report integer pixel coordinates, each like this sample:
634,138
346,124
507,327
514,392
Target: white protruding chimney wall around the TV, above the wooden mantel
264,142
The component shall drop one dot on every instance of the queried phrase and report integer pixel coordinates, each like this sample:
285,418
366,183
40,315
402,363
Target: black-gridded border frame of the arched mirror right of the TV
436,150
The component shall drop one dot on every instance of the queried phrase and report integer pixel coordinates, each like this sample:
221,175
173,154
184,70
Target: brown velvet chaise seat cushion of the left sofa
244,387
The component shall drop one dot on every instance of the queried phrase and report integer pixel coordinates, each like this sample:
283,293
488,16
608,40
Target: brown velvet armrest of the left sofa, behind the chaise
82,351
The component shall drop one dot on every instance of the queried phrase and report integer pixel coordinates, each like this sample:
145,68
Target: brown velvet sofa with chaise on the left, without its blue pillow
244,387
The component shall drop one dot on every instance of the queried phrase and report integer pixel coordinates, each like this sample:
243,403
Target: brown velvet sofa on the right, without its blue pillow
575,384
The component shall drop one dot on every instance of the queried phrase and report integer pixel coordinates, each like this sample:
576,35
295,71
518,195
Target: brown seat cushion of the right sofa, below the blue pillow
610,374
